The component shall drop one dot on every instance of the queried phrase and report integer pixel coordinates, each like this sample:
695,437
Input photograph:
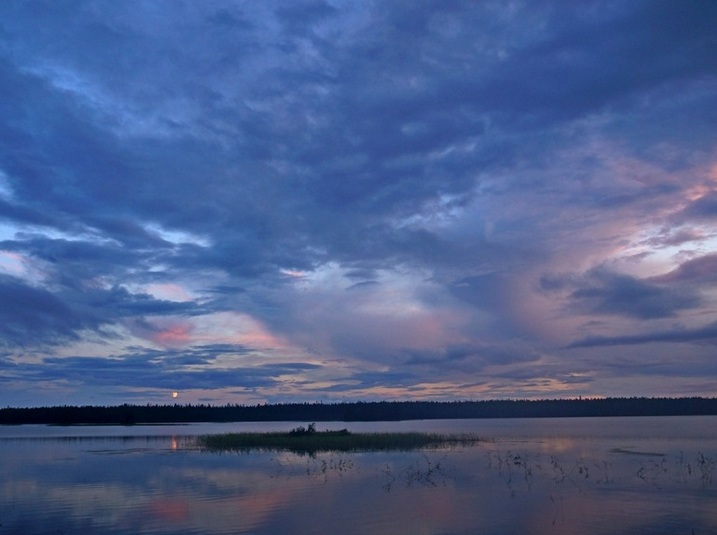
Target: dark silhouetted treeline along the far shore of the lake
359,411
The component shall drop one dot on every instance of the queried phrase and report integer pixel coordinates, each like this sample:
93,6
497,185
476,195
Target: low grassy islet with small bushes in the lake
309,440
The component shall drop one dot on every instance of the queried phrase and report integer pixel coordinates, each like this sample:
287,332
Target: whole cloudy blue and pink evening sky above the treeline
323,201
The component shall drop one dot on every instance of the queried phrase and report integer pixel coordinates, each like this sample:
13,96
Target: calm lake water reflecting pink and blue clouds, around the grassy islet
633,475
